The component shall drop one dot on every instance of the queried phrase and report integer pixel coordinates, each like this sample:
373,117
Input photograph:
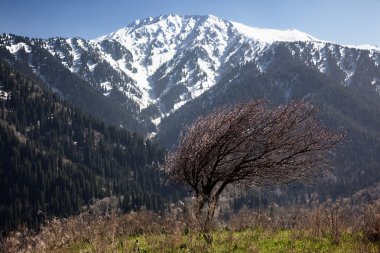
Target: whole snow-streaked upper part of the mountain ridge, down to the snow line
159,64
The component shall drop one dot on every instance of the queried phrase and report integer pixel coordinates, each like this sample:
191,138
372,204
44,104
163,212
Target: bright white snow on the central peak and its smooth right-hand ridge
163,50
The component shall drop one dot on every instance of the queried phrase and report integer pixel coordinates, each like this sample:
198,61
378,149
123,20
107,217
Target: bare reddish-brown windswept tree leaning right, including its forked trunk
250,145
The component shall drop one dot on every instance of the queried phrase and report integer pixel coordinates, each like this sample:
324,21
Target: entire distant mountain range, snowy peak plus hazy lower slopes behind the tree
157,75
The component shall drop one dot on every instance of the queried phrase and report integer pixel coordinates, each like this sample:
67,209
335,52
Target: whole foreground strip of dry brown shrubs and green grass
328,227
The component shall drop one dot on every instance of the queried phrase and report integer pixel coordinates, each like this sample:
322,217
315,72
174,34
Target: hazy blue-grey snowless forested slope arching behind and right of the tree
357,162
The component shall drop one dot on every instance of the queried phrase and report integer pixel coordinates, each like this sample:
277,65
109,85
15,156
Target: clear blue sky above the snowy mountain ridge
342,21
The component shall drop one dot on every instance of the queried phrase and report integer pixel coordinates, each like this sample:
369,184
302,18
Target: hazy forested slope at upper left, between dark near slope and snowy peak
30,56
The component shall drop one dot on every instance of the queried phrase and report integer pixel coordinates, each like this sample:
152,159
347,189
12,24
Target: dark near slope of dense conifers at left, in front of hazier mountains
56,160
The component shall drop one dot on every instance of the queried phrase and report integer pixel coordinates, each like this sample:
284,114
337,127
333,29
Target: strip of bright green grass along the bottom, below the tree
257,240
